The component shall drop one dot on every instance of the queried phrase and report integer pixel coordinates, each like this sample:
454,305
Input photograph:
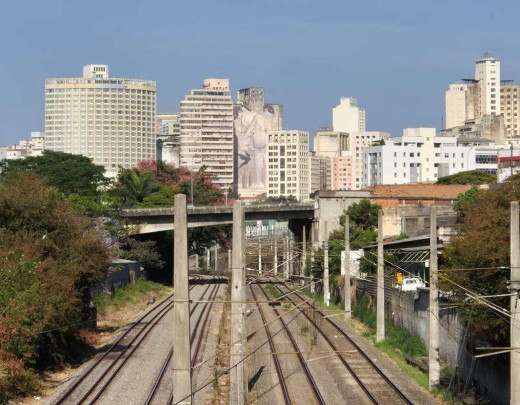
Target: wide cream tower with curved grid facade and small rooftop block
110,120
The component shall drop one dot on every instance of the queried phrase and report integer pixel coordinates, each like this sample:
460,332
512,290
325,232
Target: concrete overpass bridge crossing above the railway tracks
149,220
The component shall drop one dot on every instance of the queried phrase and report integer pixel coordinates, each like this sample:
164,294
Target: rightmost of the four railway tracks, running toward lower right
376,385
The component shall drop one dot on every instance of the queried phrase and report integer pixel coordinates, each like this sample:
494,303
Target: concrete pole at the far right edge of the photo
514,372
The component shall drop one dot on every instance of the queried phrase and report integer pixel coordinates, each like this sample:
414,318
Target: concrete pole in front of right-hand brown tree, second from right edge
434,368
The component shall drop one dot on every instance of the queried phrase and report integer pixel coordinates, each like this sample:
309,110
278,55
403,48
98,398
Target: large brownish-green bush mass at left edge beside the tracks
49,256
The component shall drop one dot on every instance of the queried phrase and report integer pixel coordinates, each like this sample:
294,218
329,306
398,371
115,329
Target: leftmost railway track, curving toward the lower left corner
91,384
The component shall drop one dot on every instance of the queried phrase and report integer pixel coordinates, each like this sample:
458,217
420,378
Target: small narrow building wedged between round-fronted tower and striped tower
168,133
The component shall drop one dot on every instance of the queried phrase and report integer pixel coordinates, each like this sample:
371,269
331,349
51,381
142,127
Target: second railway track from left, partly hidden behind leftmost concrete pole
199,328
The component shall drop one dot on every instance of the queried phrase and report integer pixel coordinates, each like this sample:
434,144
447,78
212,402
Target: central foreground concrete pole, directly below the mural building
237,389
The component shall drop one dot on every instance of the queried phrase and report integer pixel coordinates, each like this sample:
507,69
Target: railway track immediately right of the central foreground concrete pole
308,375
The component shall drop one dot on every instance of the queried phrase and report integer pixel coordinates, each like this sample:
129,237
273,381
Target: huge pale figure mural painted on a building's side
253,120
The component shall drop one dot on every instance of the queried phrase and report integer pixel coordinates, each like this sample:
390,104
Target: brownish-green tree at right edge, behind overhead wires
482,245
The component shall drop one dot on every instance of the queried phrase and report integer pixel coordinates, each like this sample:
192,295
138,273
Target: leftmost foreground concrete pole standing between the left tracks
181,308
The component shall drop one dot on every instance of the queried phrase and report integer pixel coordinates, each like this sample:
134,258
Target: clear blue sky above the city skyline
396,57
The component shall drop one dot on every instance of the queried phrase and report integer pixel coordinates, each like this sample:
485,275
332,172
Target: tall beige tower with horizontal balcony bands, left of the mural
206,131
